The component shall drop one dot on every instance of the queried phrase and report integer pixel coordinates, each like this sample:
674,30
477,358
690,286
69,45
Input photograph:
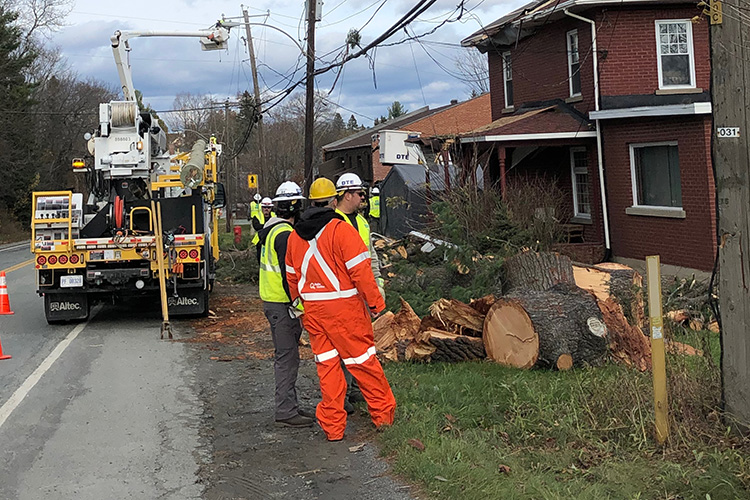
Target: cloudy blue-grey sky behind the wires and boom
164,67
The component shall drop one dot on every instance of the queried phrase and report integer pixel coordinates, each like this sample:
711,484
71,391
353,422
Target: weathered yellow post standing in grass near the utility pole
658,361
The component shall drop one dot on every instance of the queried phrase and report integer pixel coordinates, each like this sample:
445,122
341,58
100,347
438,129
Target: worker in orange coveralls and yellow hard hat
328,267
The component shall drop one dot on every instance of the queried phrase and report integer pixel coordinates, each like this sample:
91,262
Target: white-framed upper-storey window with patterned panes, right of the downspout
674,42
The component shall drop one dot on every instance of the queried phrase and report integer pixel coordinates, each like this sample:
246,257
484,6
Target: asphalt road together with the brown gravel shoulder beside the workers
104,409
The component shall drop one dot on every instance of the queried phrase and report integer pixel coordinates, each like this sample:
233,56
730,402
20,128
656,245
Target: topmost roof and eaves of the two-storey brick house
524,21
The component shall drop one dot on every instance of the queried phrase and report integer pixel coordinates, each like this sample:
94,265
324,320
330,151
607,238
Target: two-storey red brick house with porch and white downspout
614,88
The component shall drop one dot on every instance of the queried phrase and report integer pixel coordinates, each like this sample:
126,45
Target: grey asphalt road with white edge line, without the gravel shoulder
115,415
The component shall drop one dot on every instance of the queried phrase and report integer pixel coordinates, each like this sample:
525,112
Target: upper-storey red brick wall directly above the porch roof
540,68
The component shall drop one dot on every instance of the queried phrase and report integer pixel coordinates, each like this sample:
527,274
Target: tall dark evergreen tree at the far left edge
18,152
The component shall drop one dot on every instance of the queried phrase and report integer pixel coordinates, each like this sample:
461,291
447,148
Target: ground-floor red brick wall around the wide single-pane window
688,242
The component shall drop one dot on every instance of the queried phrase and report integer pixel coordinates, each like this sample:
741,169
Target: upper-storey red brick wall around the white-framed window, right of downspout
628,37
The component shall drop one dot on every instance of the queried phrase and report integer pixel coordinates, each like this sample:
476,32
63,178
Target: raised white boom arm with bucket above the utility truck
213,39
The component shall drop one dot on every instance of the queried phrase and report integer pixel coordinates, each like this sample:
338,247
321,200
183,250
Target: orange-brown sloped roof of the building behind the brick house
455,119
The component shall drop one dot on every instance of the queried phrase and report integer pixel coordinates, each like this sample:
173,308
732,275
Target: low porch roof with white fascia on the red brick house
548,120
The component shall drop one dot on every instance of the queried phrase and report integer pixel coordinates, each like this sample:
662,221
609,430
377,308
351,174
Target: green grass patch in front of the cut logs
580,434
